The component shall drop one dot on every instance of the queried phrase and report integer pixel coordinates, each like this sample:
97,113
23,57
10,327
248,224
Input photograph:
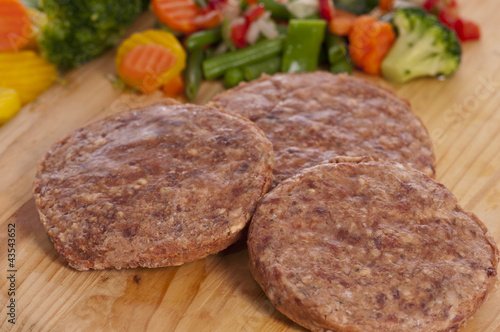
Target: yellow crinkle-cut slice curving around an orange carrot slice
157,37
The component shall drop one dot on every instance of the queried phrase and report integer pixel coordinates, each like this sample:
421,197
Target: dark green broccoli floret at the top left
78,31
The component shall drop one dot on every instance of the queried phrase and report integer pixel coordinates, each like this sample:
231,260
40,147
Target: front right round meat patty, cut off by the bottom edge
360,245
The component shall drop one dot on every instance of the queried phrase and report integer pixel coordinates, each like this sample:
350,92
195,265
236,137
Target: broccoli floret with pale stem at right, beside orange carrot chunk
424,47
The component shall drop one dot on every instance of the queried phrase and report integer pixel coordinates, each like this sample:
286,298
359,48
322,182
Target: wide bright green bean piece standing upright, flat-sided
303,45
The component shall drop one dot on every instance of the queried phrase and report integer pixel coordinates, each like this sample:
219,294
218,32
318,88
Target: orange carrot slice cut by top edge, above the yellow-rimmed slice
178,15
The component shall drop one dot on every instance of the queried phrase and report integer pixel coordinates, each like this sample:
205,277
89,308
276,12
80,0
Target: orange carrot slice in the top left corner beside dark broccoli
15,26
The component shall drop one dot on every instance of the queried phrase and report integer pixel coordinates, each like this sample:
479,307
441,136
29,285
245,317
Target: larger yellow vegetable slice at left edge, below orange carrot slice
27,73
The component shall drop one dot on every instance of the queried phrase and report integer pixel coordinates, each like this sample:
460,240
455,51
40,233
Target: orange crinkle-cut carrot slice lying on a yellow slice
144,65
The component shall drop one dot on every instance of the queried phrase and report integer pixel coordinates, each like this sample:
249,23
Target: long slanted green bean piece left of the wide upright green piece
218,65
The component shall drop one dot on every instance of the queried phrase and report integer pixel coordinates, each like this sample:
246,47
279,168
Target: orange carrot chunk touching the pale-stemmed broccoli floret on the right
369,42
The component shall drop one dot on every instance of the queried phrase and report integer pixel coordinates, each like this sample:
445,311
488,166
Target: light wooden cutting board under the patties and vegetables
218,293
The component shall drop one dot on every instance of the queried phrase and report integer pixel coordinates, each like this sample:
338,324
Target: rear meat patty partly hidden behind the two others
312,117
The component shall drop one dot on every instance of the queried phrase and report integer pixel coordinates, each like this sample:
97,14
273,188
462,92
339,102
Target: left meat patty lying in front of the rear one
158,186
